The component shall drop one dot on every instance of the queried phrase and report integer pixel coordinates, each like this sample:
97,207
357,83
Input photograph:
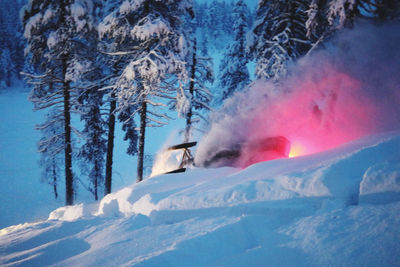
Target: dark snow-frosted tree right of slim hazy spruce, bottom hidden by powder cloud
279,36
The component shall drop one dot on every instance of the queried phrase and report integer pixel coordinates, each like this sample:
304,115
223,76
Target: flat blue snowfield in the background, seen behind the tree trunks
23,197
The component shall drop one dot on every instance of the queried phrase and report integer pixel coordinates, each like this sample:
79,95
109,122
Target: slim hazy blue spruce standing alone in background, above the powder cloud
234,74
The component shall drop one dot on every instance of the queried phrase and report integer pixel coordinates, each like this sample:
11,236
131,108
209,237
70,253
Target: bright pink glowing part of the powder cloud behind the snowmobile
320,113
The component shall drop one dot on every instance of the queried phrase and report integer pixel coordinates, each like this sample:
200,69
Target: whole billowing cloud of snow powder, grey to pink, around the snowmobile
335,95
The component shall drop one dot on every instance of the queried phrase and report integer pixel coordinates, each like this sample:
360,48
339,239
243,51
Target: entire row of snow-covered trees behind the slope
132,60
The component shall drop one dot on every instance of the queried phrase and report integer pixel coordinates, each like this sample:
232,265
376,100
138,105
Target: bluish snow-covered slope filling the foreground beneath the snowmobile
336,208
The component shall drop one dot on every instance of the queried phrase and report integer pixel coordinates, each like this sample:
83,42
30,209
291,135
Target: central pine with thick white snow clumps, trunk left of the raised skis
149,35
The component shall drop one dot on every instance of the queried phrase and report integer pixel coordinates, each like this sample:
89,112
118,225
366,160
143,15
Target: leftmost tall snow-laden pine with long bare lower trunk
56,33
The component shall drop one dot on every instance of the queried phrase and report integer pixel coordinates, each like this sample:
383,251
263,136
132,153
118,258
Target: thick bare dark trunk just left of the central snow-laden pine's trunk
110,145
